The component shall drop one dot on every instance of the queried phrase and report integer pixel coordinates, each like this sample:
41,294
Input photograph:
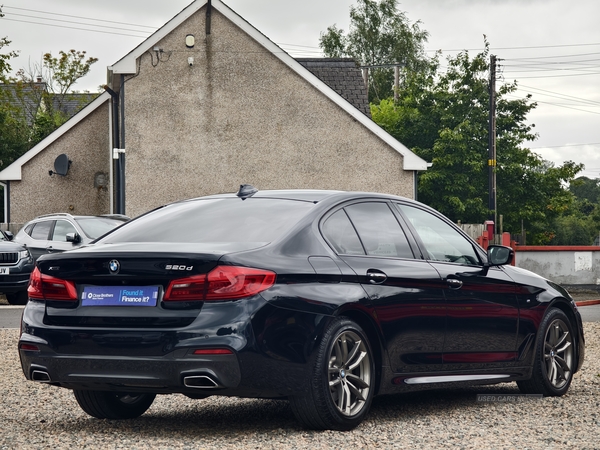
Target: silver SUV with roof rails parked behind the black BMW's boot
52,233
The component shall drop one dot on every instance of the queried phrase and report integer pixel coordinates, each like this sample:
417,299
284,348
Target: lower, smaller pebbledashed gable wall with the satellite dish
87,145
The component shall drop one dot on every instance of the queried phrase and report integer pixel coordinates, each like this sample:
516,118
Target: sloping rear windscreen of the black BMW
257,220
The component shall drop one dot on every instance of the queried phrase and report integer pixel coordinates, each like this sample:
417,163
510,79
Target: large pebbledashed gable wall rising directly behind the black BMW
240,115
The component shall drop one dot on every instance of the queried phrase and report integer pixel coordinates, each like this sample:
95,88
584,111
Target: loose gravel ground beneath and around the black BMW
37,416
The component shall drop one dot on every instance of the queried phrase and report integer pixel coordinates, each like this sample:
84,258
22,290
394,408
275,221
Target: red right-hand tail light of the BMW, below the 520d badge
221,283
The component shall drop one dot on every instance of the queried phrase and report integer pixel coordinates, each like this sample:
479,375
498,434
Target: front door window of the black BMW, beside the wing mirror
442,242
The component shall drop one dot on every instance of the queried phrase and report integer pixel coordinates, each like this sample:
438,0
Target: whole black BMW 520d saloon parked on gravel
326,298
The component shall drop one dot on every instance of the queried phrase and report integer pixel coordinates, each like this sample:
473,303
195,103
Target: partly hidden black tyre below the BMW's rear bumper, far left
113,405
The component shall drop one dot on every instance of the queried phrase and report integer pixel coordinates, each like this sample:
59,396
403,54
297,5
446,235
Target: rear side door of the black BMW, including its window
405,292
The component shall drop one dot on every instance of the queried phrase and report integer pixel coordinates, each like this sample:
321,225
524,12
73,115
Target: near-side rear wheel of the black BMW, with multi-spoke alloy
342,385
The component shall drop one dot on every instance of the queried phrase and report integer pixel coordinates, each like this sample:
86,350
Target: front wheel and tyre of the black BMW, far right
554,362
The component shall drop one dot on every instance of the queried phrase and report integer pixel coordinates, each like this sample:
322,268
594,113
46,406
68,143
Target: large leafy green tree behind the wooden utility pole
443,117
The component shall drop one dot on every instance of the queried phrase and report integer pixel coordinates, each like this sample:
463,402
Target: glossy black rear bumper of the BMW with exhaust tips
262,363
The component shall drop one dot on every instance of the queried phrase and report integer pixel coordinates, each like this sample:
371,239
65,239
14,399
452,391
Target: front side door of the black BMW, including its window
482,308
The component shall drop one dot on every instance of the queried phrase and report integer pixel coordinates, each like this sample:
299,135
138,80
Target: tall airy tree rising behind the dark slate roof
379,34
